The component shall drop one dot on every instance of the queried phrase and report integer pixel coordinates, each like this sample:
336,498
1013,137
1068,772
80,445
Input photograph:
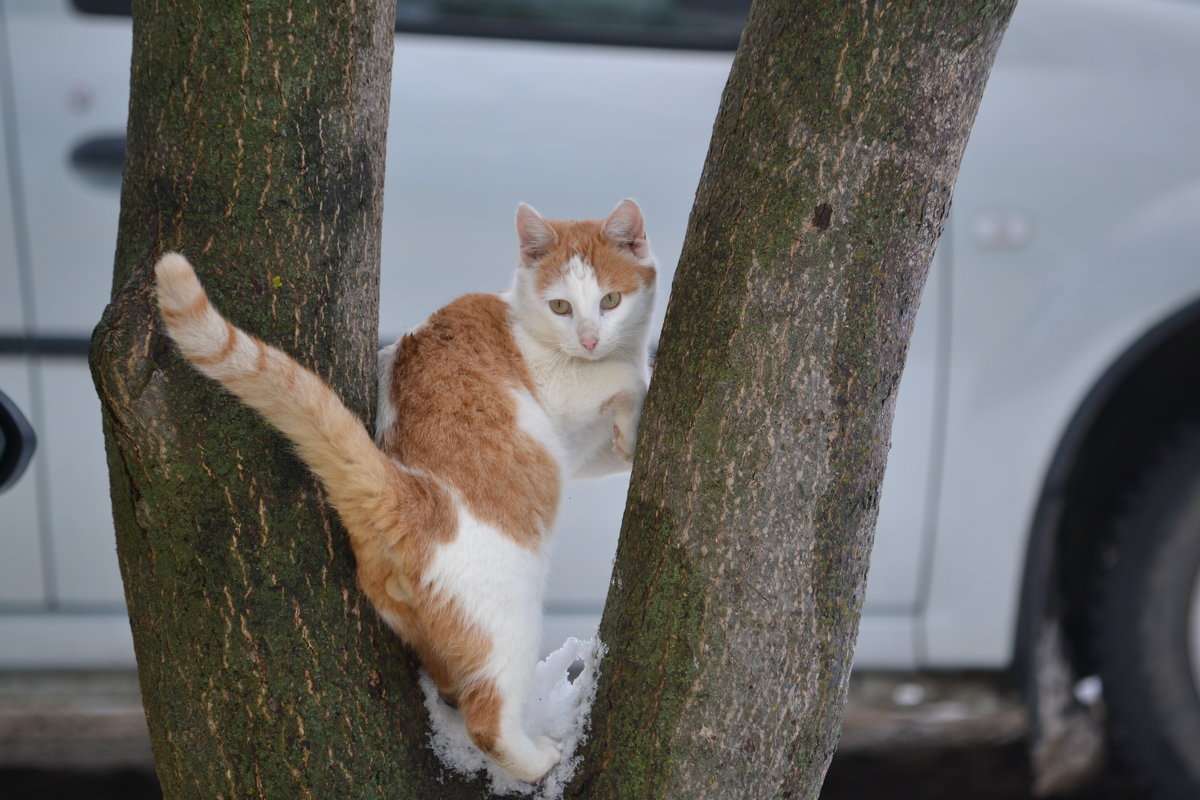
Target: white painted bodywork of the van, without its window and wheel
1073,233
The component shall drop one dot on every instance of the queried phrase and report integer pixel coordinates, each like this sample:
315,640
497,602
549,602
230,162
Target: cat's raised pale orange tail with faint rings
329,438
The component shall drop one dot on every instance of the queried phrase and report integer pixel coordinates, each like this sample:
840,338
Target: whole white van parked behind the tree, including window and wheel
1042,504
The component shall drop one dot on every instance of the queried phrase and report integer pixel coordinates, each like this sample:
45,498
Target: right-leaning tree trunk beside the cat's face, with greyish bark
743,556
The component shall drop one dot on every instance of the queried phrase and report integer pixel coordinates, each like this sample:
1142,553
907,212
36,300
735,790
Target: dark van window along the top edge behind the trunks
686,25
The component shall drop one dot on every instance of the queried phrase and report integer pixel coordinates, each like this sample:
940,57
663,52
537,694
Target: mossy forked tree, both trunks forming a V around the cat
256,147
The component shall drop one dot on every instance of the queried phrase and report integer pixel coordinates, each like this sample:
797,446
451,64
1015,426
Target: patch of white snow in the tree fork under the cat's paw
559,708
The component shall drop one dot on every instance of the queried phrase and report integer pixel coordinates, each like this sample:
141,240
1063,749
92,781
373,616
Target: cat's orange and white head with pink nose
586,288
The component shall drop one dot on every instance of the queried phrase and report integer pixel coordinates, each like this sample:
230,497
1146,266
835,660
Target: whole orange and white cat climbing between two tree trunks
485,410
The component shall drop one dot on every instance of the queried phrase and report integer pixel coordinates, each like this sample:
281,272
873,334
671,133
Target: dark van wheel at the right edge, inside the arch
1148,624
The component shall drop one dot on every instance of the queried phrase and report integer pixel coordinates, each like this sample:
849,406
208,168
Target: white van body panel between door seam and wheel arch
1081,137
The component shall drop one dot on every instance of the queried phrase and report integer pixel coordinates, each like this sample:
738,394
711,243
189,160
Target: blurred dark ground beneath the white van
83,738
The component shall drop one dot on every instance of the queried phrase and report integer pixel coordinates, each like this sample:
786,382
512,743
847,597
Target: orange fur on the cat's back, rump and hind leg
453,388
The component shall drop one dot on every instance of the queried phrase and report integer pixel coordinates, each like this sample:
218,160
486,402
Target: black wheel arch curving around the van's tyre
1151,388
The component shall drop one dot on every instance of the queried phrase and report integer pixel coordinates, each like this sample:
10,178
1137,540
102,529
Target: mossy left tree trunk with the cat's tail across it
256,147
